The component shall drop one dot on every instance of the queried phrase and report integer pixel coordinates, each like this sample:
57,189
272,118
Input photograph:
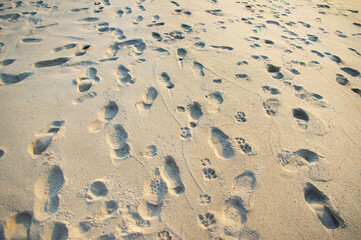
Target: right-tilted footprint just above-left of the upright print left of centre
105,115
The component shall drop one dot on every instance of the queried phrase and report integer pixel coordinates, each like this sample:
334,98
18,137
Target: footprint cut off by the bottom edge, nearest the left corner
18,226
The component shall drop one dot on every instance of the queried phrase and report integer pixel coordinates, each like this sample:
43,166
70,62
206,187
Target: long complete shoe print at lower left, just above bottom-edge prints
46,192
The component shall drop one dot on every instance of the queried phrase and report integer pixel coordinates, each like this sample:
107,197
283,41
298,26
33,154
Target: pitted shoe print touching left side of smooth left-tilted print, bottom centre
155,189
